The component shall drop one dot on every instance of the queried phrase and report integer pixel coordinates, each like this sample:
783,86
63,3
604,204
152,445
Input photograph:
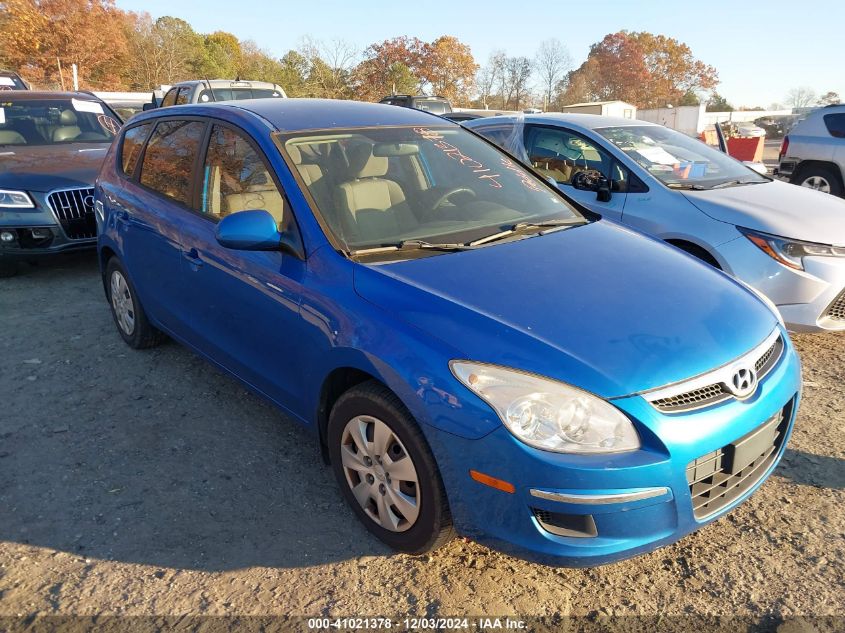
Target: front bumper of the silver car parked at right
805,298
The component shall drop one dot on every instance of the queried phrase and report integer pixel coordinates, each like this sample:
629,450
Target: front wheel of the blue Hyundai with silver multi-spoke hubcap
386,471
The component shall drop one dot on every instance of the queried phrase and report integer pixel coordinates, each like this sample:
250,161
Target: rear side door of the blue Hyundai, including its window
156,198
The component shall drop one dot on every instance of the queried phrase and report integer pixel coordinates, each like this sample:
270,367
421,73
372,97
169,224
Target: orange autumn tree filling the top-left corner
39,36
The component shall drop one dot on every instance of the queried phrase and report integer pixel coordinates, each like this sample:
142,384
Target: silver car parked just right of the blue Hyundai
786,242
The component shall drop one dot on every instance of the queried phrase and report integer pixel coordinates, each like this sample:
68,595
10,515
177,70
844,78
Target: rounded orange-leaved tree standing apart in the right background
641,68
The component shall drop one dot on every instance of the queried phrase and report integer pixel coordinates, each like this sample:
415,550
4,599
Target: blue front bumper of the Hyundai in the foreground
593,510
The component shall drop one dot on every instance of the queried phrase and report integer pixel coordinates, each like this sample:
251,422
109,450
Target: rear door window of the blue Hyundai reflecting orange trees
168,166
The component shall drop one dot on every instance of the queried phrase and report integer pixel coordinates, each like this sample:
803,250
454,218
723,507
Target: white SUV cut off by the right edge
813,153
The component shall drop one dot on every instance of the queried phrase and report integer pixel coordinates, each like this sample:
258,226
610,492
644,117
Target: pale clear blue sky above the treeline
761,49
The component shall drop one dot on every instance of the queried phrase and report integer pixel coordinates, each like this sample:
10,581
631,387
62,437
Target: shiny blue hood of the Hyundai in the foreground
597,306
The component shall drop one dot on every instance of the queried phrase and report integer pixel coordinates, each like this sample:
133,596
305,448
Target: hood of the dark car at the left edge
47,167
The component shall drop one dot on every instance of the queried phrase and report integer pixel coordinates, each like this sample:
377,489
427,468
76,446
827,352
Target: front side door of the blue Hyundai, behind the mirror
245,304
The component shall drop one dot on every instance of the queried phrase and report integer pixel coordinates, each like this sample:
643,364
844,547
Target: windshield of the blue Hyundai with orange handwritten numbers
386,185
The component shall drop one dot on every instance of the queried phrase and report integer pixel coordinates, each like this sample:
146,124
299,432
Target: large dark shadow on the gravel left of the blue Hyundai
151,457
